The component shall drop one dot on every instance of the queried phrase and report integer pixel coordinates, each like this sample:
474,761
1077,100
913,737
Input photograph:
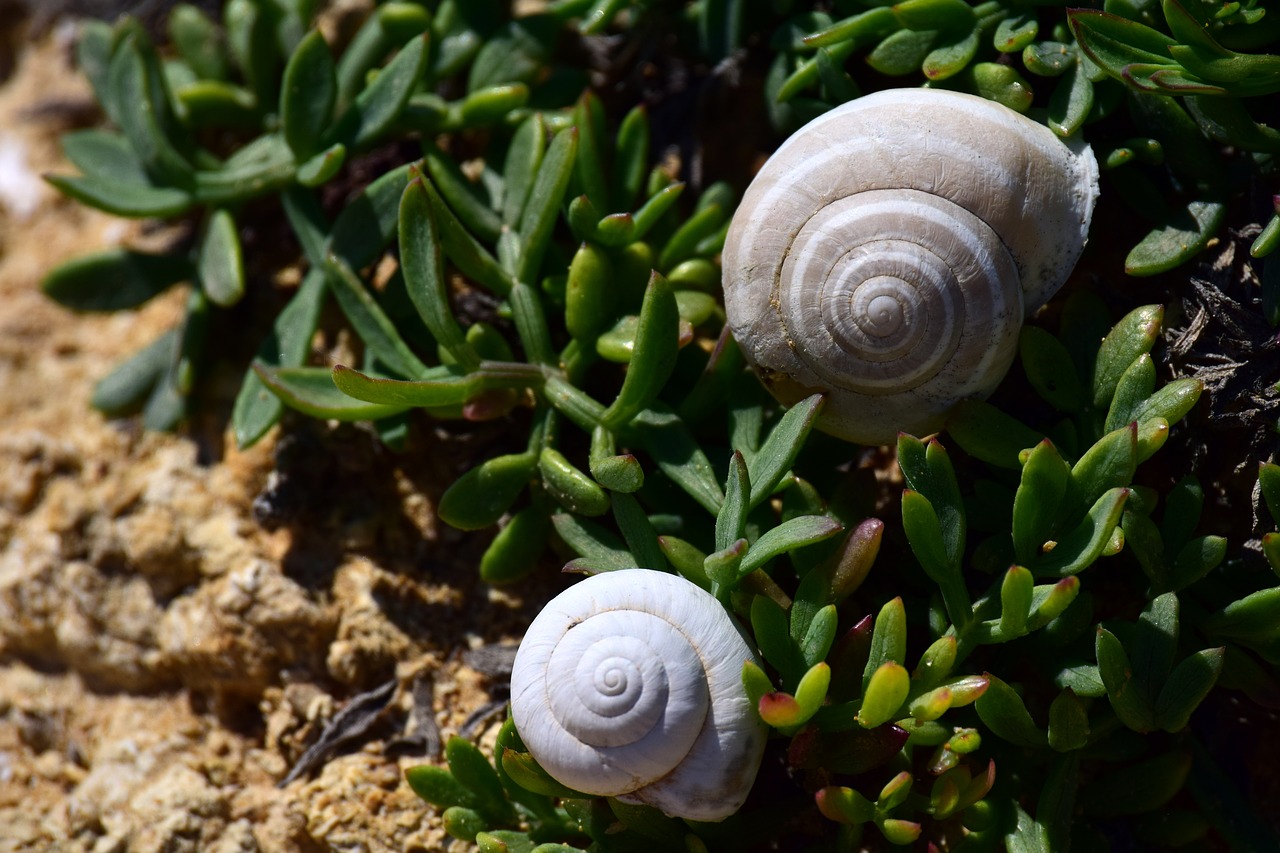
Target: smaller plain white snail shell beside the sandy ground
629,685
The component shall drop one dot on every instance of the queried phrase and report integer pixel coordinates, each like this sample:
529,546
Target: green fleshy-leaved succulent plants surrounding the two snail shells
1008,651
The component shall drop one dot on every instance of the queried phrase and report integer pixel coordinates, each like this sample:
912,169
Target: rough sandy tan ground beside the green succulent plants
164,658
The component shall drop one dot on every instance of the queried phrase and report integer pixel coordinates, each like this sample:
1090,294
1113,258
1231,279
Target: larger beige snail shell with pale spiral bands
890,250
